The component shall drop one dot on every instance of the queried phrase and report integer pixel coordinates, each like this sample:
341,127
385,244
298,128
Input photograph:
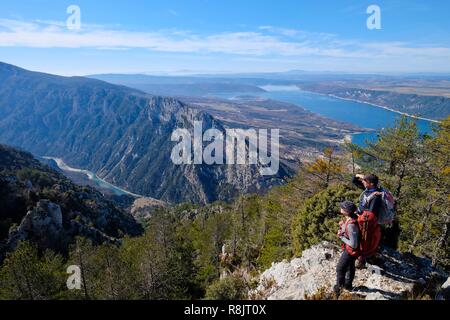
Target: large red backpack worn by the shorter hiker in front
369,235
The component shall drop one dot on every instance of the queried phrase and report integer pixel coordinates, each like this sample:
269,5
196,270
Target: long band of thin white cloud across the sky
267,41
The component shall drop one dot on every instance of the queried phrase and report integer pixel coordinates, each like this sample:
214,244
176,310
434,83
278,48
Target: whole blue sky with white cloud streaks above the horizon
224,36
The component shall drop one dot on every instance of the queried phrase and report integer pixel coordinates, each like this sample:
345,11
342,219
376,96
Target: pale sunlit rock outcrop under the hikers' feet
394,276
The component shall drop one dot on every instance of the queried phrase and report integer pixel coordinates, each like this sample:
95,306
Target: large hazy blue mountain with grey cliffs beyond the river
121,134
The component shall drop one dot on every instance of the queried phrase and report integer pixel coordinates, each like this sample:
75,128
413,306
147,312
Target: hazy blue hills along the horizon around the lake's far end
424,95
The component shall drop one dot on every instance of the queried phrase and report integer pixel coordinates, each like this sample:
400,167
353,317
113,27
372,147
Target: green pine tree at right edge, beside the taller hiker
425,207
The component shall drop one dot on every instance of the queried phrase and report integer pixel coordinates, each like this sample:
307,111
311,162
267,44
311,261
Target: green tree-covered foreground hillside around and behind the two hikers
186,248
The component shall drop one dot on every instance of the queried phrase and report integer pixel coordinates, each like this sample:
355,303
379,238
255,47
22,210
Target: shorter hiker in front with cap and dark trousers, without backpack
349,235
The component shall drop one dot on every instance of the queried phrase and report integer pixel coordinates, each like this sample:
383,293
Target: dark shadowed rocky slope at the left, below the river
41,205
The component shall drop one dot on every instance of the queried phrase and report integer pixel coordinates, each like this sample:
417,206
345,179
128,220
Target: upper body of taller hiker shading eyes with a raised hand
370,199
